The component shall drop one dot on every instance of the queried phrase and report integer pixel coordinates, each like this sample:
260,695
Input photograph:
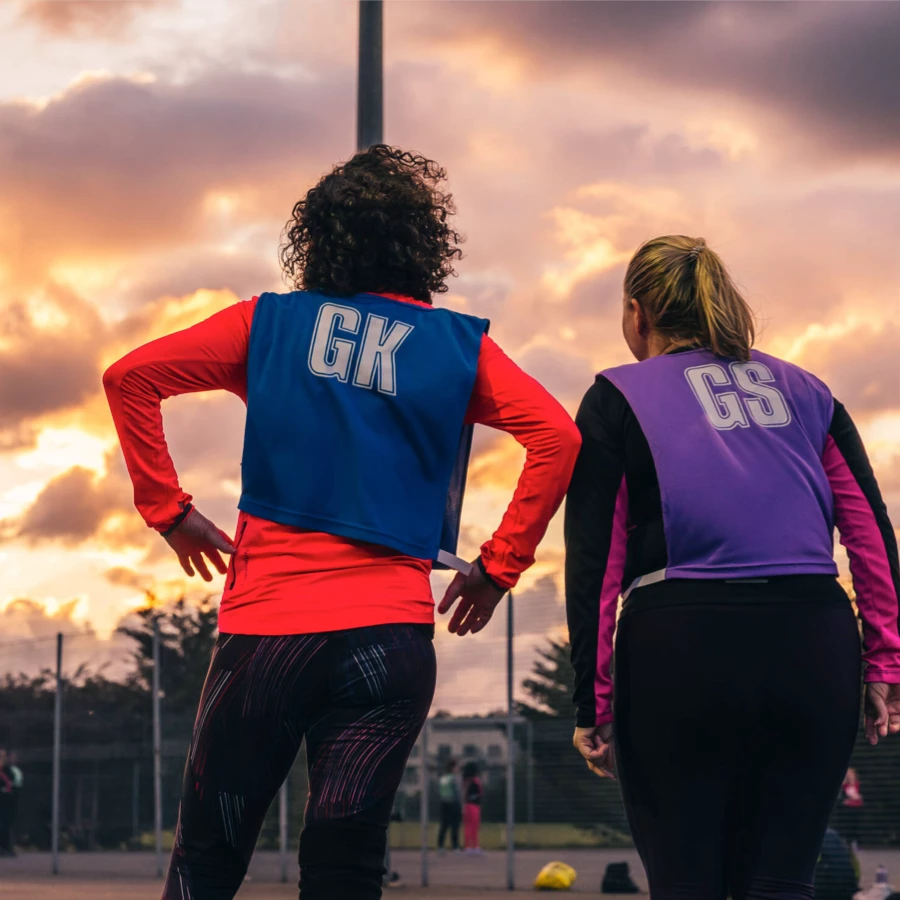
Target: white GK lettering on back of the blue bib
336,343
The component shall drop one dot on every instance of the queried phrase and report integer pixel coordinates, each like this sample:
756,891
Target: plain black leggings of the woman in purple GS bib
734,728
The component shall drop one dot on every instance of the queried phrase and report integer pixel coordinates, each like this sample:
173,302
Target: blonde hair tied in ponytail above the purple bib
689,297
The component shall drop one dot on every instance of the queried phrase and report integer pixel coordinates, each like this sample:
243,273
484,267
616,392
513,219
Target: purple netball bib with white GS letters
738,449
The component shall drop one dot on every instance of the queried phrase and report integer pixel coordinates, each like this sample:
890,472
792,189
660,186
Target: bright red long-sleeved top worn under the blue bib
287,580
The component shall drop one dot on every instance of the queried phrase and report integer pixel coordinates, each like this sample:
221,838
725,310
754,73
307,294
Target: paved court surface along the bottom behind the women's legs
130,876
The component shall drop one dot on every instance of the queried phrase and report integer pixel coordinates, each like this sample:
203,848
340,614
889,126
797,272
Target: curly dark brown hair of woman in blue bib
376,223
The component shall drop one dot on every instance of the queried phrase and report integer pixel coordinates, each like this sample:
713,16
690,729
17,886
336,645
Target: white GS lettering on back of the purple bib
754,400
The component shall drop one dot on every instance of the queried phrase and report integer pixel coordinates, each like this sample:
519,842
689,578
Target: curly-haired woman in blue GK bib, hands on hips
357,392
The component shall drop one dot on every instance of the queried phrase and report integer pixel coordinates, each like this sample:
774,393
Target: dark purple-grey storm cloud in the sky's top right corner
831,69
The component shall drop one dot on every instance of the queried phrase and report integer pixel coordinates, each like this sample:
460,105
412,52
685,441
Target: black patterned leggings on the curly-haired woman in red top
359,698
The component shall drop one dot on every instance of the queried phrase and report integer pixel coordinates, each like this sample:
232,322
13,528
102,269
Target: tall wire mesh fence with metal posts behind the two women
82,730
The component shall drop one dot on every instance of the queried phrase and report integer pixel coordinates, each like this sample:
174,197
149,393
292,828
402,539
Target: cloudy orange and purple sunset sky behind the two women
150,153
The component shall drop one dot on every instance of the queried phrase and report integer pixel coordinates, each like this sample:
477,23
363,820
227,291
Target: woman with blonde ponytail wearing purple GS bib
710,480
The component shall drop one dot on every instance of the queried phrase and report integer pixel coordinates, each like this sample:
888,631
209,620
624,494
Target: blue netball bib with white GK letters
355,414
